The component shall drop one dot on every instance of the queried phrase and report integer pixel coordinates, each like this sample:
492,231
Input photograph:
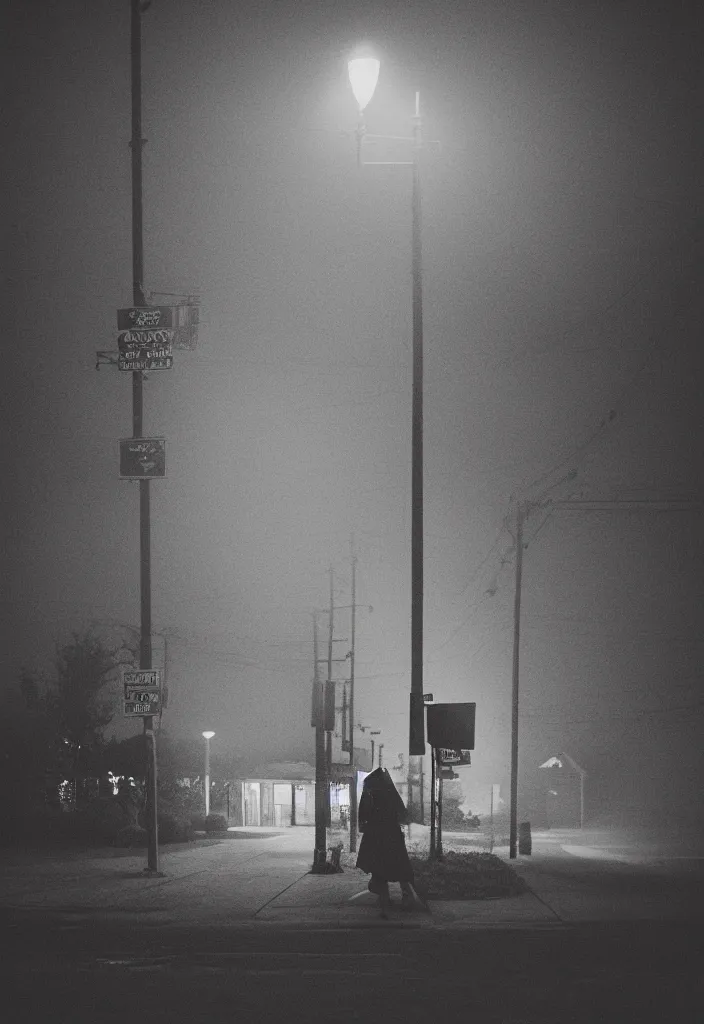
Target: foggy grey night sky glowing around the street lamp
563,244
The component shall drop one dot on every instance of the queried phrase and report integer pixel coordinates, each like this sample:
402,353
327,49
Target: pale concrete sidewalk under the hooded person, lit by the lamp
259,878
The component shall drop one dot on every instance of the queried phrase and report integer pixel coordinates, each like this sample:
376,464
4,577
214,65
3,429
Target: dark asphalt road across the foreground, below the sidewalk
604,973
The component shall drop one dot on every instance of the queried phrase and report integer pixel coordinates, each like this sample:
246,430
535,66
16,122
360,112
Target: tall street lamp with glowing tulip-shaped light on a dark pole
364,75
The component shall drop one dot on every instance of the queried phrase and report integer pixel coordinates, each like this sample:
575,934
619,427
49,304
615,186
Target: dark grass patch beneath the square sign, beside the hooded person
466,876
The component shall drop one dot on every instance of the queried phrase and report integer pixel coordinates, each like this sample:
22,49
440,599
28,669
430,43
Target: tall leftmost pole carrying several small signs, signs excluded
139,428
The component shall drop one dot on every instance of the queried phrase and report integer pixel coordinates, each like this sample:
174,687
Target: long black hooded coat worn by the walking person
383,849
